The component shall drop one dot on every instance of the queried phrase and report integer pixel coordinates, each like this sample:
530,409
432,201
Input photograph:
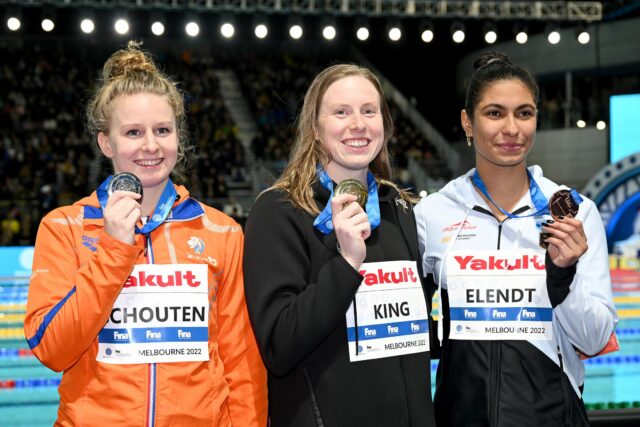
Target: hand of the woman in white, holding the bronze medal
567,242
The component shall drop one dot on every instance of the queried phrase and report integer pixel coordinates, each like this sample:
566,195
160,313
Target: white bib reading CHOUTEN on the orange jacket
161,315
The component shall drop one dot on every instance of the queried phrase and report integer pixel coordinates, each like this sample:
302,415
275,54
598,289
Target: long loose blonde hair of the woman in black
307,152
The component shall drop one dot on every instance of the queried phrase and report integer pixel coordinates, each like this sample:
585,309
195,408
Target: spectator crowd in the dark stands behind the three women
47,159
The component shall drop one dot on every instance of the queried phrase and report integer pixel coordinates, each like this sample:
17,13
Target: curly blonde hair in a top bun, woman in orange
132,71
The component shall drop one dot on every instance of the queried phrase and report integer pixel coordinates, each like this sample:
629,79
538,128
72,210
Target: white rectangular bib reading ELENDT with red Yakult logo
498,295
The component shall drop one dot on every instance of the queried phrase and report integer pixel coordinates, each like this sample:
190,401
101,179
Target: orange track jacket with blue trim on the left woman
78,272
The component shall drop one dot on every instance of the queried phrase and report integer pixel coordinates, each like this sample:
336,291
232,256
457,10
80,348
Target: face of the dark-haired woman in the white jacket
503,125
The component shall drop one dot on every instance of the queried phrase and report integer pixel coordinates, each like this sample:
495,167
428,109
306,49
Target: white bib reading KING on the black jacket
388,316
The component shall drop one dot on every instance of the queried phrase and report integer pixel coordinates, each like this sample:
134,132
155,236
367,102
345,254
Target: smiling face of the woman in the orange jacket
142,138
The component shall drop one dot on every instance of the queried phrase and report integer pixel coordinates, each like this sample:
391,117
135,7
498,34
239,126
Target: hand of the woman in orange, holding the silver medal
121,214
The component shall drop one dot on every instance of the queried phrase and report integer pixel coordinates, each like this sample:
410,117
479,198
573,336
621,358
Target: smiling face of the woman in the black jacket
350,127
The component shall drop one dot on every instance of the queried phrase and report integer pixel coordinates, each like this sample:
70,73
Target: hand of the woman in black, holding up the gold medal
352,228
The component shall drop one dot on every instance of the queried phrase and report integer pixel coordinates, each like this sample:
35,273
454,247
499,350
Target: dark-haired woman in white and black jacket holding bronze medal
523,288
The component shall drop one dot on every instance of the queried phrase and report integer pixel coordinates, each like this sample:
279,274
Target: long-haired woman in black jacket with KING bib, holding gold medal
334,294
